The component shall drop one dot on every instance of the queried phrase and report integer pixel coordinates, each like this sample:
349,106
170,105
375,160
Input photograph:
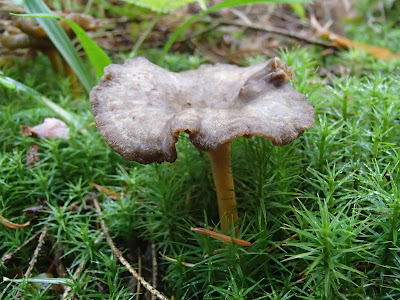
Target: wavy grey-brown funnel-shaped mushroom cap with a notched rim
140,108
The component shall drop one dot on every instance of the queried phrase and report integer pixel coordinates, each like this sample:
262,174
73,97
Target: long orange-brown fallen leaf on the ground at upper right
342,42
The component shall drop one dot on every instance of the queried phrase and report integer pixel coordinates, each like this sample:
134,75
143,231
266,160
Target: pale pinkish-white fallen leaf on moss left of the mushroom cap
50,128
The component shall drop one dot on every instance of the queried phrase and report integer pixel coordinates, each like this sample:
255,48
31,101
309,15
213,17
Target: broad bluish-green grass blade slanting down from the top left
61,41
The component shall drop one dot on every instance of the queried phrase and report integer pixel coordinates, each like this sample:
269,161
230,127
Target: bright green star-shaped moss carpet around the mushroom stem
322,213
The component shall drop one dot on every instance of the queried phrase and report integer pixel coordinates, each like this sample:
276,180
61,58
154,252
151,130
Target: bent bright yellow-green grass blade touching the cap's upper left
96,55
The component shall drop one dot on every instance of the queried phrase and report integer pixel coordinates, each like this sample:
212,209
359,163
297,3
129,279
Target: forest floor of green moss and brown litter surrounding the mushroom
322,214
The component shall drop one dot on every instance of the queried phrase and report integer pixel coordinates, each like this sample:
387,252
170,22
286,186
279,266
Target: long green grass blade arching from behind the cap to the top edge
226,4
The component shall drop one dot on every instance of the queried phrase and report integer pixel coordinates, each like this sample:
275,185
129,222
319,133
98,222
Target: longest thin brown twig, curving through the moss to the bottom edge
123,261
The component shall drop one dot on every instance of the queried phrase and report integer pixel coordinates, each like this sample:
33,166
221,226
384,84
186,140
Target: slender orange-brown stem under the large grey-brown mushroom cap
220,159
